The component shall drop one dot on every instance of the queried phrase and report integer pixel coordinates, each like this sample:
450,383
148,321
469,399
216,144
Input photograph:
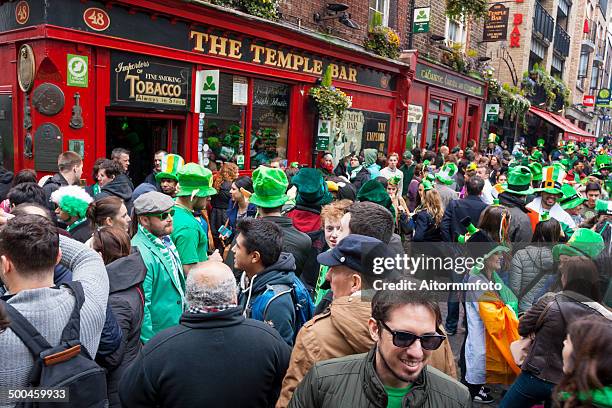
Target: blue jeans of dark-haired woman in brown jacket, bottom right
526,391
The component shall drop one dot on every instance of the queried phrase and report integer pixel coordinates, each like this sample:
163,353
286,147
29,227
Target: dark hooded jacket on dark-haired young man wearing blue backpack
280,313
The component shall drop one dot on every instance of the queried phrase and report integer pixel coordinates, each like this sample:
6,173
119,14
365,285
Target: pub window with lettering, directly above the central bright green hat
270,126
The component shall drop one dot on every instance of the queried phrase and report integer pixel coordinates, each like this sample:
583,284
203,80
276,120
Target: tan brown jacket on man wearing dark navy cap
340,331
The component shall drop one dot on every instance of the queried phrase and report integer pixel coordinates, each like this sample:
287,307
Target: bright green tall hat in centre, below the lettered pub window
269,186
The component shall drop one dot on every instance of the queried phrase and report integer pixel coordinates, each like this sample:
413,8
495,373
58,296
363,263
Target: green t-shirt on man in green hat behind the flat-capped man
189,237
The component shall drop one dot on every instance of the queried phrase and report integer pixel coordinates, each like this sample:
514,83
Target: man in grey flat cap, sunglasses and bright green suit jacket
164,284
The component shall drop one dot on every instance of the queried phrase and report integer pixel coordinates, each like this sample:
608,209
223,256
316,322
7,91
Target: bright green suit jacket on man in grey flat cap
163,304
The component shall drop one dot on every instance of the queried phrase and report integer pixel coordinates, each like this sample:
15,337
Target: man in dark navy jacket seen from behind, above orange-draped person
451,228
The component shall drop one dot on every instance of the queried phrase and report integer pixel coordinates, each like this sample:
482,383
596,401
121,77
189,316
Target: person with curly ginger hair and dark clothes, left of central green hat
222,182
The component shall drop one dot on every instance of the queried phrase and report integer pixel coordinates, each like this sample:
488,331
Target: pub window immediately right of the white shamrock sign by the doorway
224,132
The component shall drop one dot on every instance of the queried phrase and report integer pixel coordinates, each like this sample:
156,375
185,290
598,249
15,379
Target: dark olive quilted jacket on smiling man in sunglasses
352,381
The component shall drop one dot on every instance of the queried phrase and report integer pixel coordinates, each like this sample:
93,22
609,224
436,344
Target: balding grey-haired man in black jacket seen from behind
213,358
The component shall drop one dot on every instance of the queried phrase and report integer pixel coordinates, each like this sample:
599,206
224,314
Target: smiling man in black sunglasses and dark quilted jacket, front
395,372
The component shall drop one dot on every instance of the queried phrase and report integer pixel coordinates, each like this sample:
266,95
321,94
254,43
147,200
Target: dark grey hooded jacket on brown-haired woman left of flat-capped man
126,299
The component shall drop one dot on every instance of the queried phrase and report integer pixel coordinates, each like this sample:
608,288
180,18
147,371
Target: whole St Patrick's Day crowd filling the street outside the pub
201,289
